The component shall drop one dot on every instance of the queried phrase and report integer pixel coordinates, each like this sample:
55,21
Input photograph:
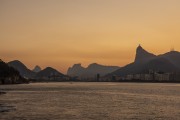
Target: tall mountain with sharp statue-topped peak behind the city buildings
145,61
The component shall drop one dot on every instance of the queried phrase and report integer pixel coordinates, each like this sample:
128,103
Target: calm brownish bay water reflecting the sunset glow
90,101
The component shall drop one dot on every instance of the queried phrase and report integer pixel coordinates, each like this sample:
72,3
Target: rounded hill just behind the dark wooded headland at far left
24,71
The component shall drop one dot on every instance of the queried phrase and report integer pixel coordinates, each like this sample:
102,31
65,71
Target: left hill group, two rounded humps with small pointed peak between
36,73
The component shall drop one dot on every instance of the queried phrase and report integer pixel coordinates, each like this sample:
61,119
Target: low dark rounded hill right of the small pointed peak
47,72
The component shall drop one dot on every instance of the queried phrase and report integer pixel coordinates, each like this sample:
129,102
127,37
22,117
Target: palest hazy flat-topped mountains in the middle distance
91,71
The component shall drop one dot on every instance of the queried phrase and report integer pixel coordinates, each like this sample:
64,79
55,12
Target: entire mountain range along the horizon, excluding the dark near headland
143,63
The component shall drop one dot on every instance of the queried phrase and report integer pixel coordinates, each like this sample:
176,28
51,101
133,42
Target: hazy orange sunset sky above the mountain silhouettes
60,33
